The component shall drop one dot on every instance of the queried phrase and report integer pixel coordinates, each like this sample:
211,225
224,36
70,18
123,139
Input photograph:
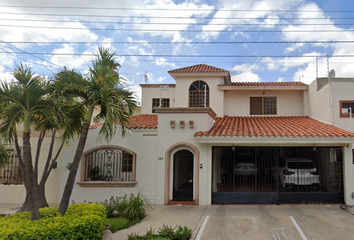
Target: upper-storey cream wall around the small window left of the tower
148,93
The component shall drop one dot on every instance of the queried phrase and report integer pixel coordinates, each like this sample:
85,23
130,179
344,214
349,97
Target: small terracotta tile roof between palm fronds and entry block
142,121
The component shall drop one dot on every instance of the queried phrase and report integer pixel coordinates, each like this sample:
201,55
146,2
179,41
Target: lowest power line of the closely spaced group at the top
175,30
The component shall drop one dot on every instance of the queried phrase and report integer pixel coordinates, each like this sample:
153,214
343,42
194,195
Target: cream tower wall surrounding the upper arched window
216,96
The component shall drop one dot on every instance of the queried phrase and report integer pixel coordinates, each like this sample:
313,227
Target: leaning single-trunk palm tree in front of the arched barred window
101,89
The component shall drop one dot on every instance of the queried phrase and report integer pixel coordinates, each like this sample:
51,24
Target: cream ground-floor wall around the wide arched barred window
145,148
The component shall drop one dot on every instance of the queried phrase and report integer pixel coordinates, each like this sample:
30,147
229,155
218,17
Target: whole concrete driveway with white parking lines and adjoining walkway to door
251,222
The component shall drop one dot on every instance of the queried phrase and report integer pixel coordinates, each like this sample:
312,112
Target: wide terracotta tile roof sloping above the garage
272,127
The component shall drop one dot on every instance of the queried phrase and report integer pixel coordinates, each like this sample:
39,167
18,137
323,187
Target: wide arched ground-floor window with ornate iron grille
109,164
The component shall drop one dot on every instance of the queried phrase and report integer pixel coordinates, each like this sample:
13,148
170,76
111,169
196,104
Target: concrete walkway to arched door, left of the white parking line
190,216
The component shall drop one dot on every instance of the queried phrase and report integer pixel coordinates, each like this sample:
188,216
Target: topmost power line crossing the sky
175,9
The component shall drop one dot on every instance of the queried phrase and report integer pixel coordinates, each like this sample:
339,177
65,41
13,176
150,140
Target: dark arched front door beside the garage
183,176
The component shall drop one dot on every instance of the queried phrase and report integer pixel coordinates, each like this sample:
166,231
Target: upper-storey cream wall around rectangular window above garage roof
289,103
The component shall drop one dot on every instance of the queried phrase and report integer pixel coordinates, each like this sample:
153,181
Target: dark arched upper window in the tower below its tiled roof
199,94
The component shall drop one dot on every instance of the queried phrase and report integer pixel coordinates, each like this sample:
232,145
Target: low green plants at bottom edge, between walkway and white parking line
165,233
